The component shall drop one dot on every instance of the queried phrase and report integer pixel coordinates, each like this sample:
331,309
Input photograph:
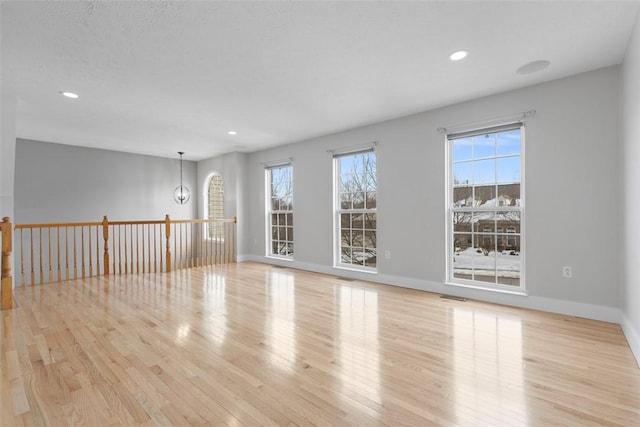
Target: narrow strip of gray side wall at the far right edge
630,196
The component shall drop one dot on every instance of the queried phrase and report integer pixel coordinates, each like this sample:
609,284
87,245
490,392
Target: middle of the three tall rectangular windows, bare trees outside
355,212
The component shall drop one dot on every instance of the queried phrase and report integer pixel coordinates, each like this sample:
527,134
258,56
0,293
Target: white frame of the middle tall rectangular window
338,211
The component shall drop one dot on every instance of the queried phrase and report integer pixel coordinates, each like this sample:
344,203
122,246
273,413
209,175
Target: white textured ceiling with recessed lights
161,77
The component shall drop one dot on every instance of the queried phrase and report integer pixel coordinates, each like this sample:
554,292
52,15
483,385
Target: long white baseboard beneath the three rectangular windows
570,308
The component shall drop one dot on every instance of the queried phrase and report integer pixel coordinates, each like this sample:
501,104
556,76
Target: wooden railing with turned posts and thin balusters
65,251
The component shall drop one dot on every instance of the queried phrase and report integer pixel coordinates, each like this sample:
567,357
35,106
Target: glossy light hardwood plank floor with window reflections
250,344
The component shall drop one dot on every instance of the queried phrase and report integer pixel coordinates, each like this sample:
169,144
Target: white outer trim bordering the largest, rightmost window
520,207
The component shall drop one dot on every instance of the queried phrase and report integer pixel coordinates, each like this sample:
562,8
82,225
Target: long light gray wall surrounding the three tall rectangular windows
572,195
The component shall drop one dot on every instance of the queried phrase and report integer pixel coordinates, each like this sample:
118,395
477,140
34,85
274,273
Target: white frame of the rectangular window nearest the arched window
269,211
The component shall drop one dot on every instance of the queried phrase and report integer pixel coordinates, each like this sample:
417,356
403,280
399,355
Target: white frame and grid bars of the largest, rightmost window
499,234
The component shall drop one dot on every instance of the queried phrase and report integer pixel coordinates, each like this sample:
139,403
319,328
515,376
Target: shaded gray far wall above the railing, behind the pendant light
61,183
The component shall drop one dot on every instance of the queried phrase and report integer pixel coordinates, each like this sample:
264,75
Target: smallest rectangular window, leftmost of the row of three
280,211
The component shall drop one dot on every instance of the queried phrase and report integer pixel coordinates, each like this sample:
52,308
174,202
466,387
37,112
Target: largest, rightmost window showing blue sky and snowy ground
485,198
